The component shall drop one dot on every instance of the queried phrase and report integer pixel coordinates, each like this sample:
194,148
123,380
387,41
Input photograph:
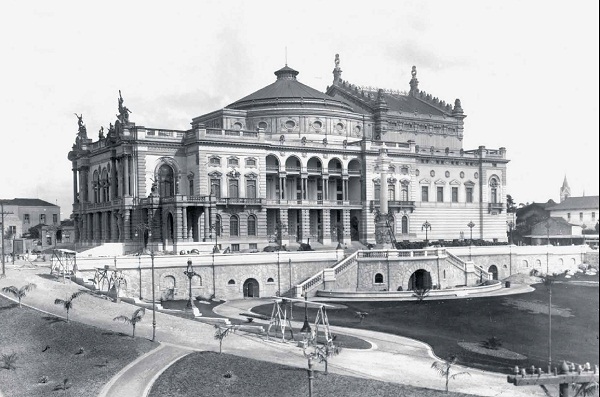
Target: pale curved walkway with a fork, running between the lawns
393,358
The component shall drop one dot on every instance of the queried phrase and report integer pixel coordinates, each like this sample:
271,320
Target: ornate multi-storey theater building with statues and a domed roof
290,164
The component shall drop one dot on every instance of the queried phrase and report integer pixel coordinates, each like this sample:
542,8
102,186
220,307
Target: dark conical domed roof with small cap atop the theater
286,91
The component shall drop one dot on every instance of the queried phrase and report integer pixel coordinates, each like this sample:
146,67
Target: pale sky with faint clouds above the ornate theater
526,73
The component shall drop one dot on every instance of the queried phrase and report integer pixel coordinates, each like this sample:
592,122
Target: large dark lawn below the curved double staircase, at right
444,323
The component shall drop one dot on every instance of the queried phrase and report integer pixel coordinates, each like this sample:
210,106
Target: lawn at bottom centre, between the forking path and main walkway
223,375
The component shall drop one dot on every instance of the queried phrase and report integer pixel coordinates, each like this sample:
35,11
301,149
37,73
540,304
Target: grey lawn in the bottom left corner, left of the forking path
28,333
